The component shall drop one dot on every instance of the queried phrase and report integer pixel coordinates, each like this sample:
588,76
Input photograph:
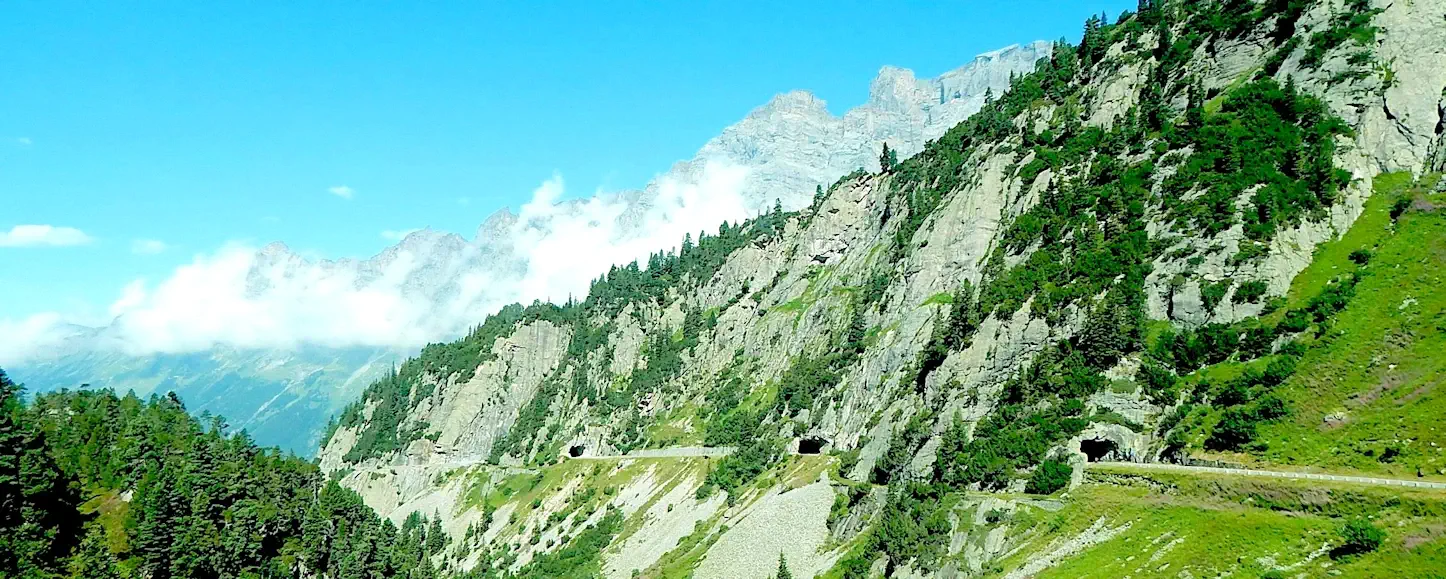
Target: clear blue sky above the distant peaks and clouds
161,131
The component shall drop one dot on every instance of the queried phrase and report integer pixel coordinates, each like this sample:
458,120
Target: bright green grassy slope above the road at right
1367,396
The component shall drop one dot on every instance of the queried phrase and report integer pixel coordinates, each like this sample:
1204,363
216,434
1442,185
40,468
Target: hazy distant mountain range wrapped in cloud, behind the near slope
435,286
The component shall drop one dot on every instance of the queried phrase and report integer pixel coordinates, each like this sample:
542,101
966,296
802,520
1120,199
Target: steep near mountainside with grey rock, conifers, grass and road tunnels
1207,235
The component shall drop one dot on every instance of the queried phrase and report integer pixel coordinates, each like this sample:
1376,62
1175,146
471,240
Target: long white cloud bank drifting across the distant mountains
429,287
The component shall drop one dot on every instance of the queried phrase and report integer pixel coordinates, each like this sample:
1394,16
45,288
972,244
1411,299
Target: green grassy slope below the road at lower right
1246,528
